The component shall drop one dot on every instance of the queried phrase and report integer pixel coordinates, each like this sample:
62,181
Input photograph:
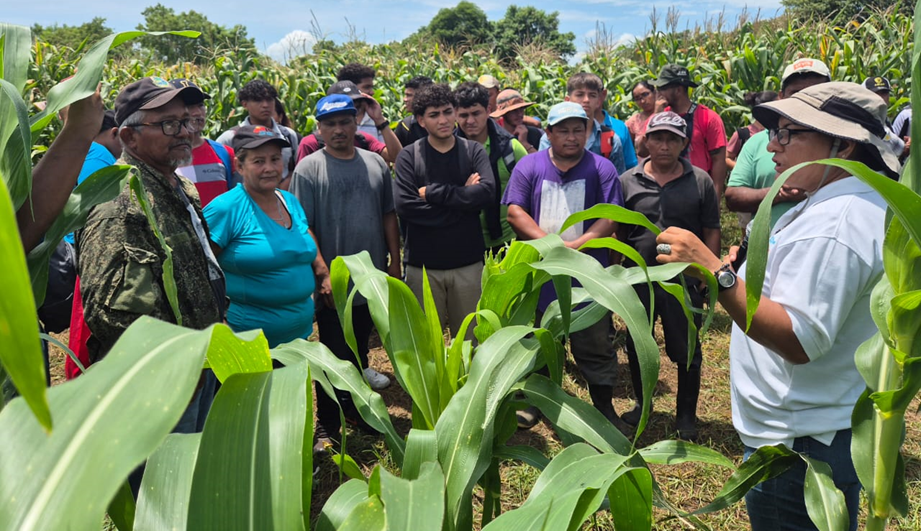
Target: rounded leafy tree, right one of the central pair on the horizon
526,25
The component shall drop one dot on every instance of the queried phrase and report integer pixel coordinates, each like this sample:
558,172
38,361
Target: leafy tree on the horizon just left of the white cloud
173,49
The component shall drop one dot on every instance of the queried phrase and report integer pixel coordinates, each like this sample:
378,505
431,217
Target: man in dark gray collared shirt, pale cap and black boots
667,189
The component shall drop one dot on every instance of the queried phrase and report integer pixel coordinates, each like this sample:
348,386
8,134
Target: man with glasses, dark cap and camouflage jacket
120,258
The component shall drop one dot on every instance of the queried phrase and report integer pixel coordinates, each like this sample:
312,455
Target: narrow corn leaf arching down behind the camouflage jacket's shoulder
100,187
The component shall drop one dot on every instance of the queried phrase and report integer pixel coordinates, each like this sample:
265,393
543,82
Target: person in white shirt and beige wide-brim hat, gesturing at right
823,261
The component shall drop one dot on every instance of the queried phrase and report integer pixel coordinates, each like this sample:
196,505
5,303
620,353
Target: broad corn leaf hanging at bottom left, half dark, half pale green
256,422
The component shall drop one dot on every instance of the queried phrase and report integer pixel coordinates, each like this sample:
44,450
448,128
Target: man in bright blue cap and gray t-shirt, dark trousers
347,196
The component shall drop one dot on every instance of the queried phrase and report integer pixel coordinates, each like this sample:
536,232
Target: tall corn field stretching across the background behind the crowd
727,63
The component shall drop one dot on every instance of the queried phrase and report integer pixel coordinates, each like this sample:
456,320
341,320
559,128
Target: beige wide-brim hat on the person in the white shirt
838,109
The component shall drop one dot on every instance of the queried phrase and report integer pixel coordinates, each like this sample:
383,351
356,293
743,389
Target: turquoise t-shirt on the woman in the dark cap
268,268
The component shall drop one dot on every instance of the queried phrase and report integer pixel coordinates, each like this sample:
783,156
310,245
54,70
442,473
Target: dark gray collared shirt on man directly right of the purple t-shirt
688,202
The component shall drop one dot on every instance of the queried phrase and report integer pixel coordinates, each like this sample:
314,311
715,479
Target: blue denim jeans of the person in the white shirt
779,504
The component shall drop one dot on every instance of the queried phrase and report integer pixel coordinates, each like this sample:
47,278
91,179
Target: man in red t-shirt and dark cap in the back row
706,135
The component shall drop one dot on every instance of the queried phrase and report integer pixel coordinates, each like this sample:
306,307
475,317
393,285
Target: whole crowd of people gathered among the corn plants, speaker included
254,219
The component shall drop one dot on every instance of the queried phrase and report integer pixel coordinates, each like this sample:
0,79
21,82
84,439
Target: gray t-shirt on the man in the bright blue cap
345,202
